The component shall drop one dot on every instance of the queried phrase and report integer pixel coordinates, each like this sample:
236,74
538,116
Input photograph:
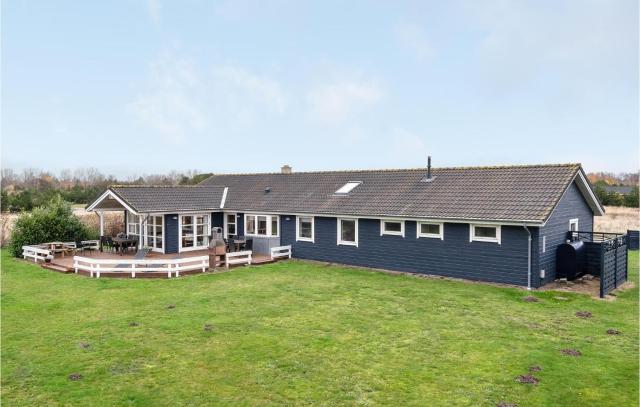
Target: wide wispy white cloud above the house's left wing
179,101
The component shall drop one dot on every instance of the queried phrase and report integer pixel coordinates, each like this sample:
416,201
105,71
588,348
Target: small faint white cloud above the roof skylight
337,101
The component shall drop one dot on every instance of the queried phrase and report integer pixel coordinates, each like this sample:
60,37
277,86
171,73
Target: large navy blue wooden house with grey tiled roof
499,224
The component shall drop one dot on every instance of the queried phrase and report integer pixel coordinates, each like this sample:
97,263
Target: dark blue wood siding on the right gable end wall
572,205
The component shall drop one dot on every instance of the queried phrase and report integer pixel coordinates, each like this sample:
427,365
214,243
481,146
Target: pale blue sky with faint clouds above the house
137,86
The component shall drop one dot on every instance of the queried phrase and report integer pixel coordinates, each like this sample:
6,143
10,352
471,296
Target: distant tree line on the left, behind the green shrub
32,188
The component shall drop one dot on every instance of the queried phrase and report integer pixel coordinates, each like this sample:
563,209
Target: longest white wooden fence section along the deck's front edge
133,266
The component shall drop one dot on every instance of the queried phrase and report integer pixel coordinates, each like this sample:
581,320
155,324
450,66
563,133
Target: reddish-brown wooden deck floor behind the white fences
65,263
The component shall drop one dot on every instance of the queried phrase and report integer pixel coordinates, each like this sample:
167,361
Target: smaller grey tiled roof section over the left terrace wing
167,199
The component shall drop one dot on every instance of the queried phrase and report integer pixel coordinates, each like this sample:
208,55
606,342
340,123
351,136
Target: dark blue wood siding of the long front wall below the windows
454,256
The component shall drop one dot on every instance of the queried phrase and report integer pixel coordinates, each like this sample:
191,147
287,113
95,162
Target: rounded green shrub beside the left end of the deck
51,222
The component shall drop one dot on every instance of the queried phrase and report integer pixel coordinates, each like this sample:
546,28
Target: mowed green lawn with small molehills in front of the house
299,333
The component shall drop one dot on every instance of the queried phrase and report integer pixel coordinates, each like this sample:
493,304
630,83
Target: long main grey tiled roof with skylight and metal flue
514,193
